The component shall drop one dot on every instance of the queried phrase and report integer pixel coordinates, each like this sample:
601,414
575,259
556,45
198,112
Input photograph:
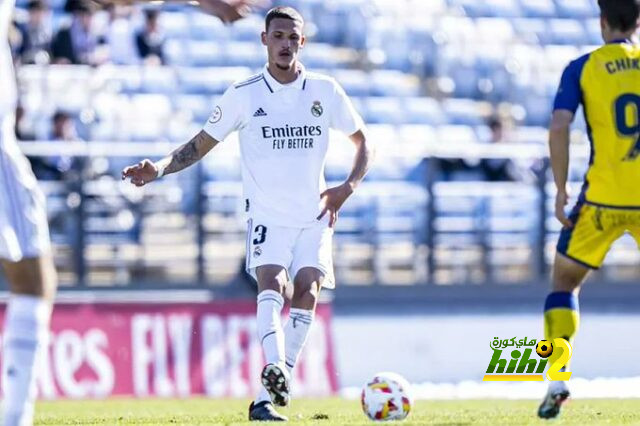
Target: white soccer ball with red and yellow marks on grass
386,397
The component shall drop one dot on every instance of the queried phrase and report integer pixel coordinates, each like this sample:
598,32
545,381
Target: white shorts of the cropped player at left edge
24,232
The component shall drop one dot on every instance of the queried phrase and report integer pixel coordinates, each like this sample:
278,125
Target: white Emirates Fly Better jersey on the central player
284,136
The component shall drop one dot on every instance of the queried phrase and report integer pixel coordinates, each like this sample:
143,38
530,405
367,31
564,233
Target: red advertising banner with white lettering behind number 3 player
171,350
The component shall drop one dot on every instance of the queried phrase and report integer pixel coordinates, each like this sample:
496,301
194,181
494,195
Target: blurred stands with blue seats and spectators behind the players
455,93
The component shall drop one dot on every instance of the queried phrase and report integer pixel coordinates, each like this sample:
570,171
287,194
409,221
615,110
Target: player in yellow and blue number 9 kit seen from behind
607,84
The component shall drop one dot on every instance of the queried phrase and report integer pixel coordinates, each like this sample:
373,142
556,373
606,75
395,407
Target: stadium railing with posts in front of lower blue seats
186,231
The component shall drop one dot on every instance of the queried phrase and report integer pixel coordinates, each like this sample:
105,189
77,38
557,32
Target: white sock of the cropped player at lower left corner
26,330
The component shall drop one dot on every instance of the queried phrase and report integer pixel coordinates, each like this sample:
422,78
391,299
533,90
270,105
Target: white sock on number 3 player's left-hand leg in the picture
270,332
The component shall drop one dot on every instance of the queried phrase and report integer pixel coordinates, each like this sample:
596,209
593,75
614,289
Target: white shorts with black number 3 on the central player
291,248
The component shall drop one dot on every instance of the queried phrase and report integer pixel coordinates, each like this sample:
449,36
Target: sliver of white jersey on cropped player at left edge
8,94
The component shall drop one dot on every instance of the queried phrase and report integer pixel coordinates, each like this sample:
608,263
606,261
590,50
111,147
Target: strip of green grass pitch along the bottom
329,412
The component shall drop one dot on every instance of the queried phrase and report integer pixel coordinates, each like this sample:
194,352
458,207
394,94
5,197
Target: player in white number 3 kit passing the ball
283,115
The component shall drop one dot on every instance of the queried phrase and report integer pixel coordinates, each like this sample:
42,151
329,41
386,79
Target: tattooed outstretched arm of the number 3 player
180,158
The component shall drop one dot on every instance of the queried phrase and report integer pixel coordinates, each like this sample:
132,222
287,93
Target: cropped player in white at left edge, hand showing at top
25,251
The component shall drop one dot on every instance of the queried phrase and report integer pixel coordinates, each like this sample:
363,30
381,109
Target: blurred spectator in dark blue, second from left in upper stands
78,43
